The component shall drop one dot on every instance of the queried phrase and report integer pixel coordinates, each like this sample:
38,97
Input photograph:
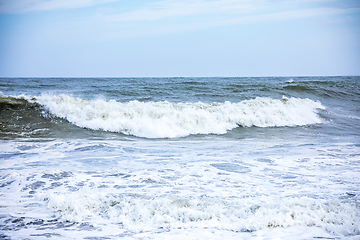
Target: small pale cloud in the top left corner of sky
19,6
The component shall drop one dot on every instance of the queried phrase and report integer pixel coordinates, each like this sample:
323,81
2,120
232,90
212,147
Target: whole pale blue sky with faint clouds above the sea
173,38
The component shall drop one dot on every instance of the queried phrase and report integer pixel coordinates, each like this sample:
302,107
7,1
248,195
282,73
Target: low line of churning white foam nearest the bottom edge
140,213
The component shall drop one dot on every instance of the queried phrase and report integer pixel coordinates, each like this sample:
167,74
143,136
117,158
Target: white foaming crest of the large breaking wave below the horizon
168,120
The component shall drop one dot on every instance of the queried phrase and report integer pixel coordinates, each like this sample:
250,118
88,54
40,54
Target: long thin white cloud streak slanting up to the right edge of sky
174,27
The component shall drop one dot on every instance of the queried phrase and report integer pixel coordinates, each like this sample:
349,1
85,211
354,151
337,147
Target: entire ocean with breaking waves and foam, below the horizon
180,158
